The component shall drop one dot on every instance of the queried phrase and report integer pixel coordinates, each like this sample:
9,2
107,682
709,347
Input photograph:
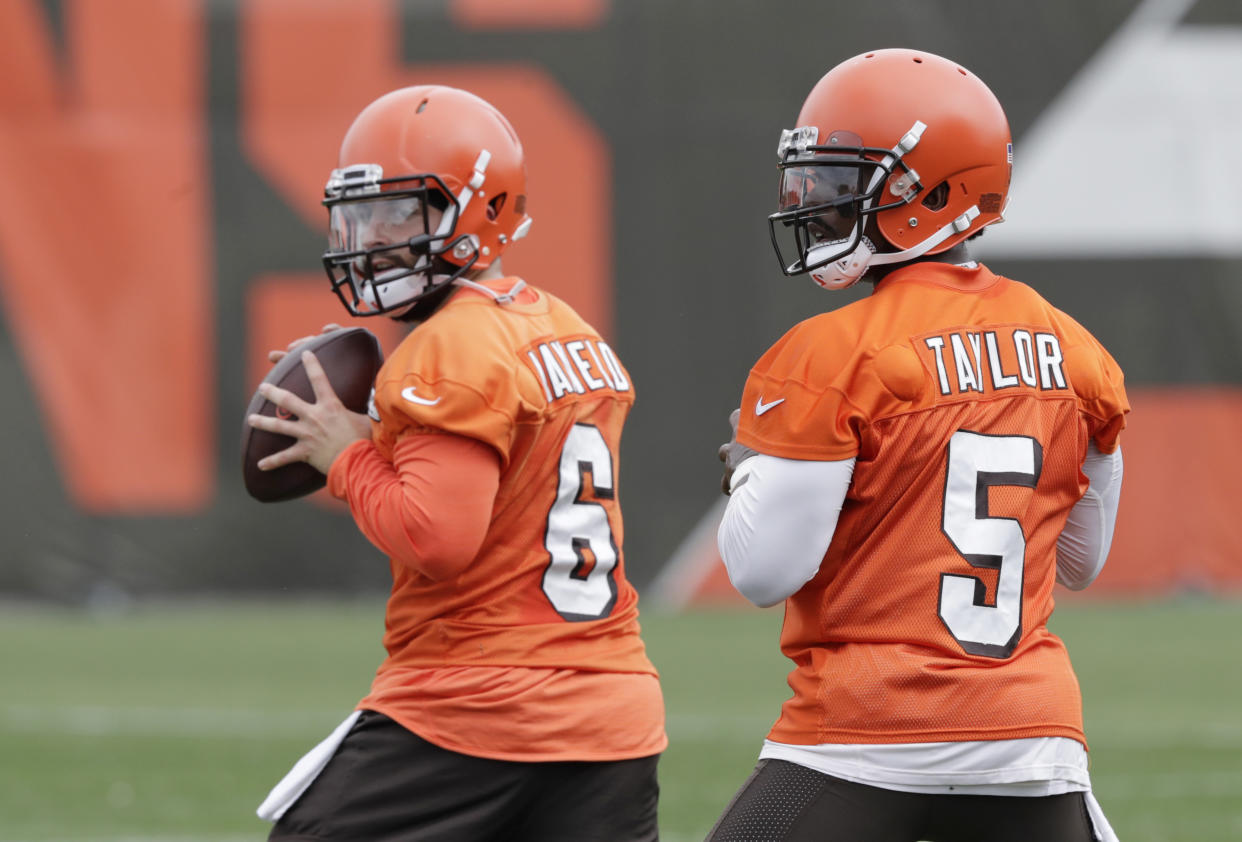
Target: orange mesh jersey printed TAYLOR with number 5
968,403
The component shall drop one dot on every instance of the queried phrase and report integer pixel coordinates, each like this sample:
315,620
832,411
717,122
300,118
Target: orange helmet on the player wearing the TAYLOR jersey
909,141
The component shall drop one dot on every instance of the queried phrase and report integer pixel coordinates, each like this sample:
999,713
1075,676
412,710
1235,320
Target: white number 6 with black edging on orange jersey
579,579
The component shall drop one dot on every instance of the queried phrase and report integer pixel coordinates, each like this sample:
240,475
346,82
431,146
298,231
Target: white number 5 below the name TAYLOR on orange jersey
977,463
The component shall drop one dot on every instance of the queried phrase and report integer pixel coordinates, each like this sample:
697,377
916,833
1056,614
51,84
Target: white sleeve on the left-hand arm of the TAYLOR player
779,523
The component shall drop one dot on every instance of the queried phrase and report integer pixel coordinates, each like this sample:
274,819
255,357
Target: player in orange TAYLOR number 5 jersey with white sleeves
911,475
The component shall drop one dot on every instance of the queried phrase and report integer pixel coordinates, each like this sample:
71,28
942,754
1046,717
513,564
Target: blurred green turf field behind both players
172,722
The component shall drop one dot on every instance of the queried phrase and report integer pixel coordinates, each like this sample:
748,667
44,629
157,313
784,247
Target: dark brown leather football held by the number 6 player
351,358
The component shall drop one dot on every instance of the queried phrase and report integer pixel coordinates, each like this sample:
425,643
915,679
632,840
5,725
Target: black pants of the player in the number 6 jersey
386,784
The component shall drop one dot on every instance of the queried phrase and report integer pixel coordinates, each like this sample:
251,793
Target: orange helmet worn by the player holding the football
430,188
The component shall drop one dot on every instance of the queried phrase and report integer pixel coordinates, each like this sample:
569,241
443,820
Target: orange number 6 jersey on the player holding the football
525,654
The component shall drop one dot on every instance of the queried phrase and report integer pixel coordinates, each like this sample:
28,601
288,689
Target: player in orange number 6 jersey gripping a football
517,701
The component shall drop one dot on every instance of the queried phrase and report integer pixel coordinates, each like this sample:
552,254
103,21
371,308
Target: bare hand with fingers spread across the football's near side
322,429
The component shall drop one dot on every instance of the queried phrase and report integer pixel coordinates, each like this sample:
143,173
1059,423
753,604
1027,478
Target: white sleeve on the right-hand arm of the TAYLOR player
1084,545
